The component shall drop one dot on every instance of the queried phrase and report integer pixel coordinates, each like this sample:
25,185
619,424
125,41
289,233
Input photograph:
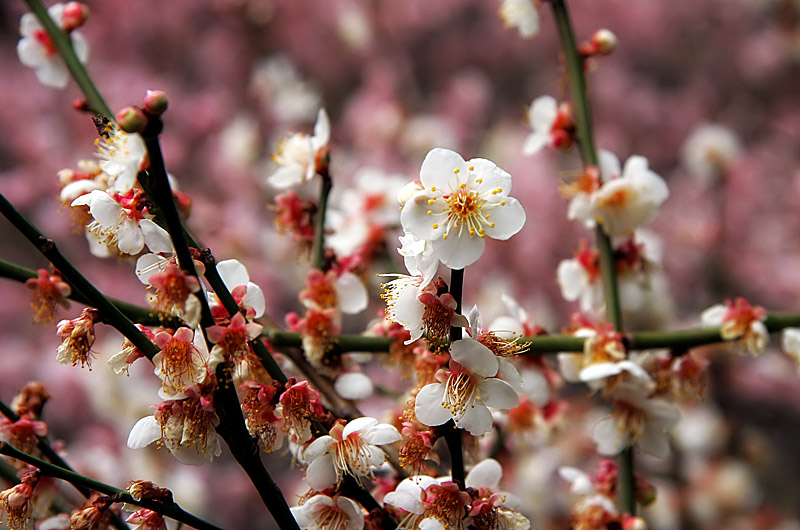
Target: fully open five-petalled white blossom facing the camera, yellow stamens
459,204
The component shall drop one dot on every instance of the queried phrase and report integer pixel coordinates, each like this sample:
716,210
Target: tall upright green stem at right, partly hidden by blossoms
585,140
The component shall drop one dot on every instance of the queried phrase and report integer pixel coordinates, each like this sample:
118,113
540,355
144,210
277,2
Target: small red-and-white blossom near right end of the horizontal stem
739,321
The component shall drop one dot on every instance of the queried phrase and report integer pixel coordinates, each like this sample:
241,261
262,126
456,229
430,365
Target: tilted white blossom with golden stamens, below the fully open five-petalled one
462,395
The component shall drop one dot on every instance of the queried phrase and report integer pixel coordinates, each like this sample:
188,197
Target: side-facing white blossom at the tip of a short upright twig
301,156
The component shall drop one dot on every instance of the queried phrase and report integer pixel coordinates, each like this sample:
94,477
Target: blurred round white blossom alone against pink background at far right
709,149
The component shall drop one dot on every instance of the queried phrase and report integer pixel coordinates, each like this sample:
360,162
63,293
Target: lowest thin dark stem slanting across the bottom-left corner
172,511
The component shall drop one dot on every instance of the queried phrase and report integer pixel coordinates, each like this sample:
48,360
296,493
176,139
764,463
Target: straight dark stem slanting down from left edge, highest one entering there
111,313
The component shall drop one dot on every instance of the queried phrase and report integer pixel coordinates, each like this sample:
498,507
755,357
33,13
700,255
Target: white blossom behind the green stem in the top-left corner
36,49
